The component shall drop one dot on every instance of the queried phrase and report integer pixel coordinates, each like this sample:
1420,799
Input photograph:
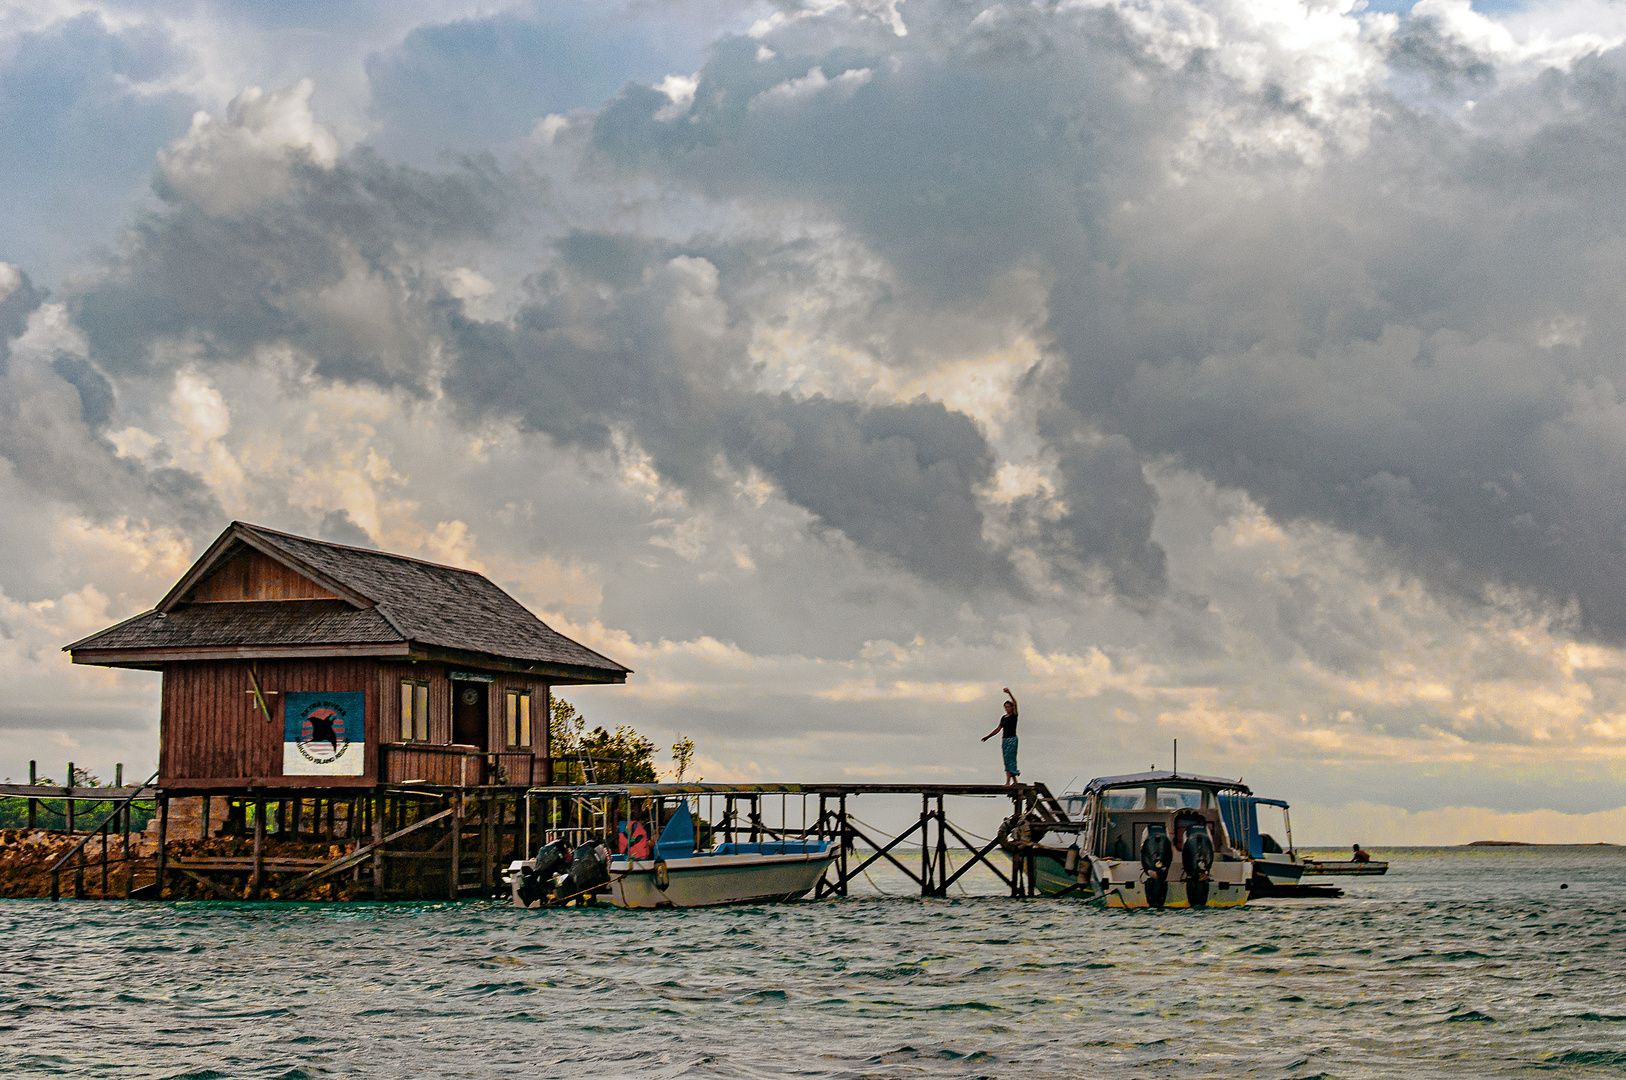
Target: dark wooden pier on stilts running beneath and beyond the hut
456,843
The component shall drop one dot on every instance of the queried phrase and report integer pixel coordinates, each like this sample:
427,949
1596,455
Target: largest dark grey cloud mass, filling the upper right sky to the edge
1417,337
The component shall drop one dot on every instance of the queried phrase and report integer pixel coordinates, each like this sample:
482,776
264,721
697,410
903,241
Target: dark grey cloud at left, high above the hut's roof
230,282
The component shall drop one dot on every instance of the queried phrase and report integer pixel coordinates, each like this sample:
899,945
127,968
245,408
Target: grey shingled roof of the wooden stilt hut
385,606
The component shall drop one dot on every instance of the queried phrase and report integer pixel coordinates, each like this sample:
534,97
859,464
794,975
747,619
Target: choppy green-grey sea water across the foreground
1459,964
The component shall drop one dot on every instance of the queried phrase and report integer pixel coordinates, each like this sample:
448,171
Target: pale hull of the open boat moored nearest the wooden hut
715,881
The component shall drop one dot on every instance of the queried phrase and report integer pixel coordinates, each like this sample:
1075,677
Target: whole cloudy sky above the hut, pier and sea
1238,372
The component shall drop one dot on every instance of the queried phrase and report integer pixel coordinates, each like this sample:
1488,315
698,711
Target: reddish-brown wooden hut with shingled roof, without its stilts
292,663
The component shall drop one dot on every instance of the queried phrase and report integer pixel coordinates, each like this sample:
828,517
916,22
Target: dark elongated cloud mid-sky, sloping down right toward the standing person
667,359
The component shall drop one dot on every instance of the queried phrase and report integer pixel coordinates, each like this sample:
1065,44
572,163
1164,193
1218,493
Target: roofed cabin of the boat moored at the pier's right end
1123,811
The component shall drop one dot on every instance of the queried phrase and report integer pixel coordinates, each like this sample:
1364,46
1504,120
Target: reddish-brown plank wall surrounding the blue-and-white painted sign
212,733
